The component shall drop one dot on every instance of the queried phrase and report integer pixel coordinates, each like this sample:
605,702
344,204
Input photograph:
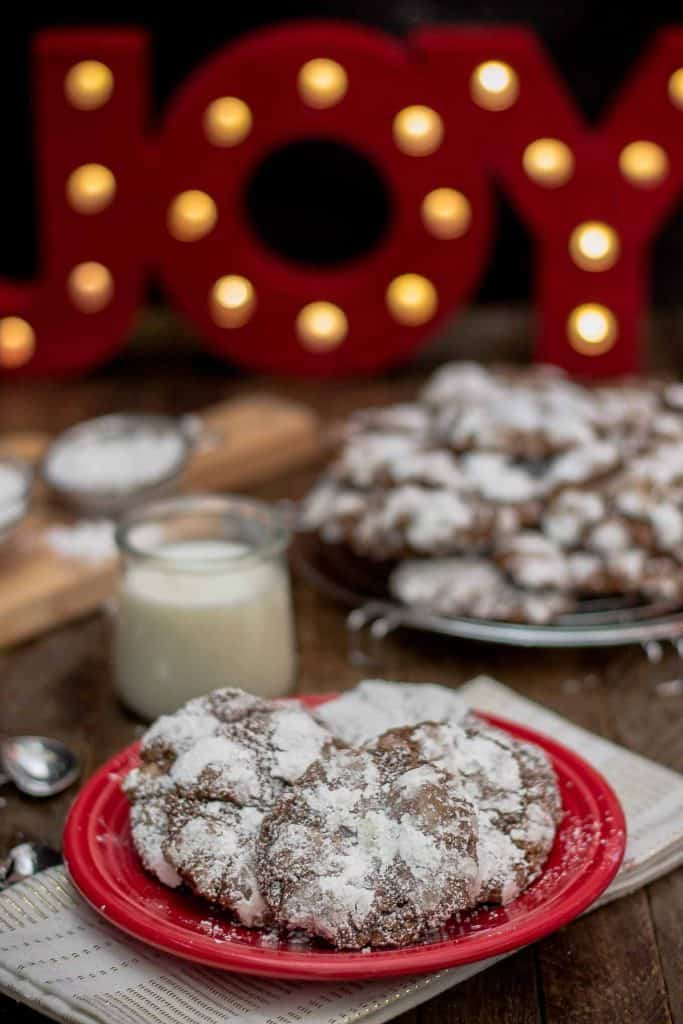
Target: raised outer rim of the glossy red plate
597,869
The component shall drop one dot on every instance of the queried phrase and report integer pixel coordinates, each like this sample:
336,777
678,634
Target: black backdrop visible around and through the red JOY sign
594,46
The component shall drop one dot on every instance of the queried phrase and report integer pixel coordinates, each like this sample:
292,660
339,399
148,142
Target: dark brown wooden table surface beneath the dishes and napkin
622,964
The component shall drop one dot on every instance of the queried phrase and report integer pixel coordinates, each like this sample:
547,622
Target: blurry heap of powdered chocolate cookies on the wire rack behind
514,495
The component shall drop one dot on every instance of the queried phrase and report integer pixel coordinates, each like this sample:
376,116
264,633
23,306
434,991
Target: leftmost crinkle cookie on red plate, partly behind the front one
207,777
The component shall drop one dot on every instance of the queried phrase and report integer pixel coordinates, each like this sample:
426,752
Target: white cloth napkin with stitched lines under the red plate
59,957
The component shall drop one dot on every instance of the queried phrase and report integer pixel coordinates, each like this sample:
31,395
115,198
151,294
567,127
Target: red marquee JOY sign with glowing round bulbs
440,118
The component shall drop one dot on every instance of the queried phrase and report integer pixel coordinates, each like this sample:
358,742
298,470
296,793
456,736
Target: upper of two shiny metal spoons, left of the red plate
37,765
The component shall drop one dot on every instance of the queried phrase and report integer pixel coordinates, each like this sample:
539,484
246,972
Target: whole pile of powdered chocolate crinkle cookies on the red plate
362,839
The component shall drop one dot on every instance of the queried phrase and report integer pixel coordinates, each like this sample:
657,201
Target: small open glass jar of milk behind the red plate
204,603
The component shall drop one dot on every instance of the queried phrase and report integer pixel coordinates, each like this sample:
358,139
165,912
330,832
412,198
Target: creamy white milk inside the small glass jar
183,633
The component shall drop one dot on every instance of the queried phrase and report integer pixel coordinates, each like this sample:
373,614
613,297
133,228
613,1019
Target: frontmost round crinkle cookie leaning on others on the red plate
371,848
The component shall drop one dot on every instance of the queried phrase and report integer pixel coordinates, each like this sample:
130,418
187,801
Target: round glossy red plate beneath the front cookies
104,866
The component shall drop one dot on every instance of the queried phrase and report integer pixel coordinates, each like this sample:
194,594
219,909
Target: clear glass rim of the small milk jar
277,532
